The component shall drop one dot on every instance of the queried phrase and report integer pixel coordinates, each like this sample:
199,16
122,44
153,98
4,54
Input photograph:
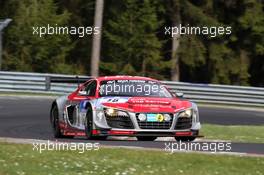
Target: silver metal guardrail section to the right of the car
220,94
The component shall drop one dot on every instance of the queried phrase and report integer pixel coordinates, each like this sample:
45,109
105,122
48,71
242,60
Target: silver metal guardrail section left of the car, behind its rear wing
36,82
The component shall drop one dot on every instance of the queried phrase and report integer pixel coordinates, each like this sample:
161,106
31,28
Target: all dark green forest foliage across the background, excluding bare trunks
134,42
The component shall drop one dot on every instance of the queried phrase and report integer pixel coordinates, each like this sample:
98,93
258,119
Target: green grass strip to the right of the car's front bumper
254,134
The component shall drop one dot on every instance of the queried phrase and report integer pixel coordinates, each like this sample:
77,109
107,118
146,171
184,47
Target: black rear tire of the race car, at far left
54,118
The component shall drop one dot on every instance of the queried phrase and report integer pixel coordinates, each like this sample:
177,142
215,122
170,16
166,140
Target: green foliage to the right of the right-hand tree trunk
226,59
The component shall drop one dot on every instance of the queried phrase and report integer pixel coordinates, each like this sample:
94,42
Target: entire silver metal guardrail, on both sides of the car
203,93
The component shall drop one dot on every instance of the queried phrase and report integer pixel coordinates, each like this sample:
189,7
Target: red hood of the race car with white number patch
146,104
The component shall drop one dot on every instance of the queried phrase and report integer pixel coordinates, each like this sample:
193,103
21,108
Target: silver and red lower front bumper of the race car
102,128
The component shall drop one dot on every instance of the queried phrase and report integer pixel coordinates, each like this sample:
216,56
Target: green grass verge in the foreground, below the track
21,159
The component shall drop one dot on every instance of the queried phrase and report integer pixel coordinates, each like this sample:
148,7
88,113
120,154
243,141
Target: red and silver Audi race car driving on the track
124,106
